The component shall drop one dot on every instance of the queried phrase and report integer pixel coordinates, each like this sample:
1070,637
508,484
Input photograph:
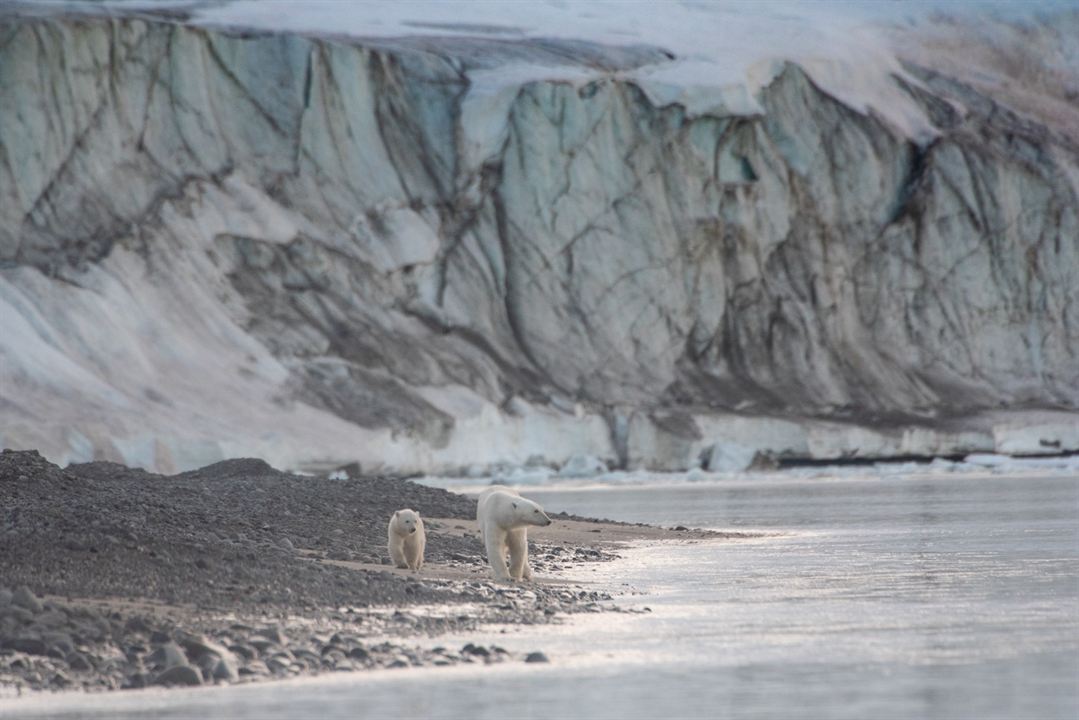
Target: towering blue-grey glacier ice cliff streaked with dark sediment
422,253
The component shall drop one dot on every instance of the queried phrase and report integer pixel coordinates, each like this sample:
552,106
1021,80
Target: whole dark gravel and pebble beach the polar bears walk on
113,578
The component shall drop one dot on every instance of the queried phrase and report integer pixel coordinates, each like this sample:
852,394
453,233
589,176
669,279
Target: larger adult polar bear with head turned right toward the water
504,518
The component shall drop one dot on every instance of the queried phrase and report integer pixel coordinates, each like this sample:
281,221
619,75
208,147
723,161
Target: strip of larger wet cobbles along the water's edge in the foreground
51,645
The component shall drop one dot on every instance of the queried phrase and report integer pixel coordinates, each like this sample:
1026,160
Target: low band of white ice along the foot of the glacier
488,441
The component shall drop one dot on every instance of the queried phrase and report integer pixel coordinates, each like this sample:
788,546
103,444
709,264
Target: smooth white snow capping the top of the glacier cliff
723,53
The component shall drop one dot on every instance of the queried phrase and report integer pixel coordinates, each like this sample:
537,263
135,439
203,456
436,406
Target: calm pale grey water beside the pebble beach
900,597
